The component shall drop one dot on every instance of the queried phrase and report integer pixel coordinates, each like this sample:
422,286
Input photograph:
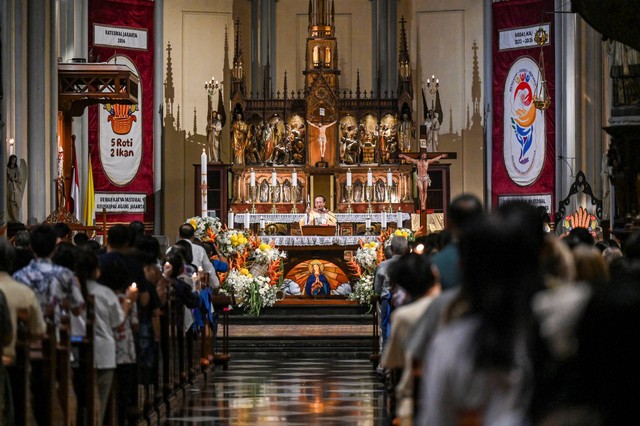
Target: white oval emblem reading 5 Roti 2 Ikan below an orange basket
121,135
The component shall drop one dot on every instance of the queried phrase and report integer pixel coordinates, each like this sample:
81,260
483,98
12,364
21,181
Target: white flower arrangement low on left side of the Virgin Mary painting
252,292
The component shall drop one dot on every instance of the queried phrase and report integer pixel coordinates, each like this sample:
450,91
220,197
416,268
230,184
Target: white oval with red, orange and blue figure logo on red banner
524,127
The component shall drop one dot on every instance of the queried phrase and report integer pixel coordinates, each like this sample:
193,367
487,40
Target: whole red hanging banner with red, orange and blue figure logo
523,149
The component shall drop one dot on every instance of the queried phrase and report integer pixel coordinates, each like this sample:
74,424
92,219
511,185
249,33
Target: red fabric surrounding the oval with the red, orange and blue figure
510,15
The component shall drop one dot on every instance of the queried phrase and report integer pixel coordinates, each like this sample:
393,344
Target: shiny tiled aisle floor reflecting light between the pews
291,392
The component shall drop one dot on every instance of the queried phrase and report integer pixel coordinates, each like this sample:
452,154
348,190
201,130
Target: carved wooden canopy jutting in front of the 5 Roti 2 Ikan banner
81,85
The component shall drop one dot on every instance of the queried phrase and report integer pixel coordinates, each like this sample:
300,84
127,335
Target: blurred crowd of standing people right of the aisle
496,321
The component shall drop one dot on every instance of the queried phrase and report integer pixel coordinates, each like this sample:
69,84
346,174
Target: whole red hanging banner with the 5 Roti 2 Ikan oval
121,137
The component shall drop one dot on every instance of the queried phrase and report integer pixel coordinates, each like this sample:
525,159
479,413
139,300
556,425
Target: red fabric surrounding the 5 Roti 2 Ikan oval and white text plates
136,14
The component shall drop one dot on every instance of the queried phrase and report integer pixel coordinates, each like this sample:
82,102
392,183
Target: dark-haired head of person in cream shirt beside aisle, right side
413,272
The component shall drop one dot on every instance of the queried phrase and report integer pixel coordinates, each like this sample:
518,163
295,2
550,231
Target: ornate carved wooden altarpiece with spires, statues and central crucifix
289,147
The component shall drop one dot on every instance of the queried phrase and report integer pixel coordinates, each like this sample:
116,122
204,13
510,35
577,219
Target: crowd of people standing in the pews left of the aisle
138,320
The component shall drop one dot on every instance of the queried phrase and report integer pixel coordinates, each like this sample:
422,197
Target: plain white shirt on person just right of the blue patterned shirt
108,315
